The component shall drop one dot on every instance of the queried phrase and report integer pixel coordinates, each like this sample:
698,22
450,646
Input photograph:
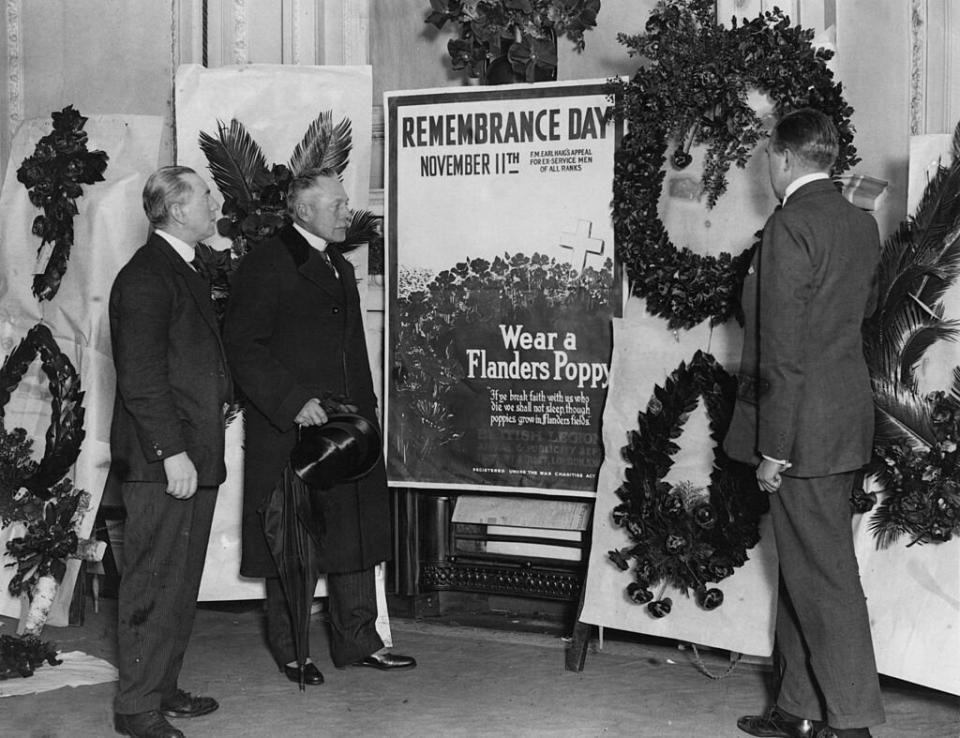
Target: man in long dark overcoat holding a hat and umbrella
294,335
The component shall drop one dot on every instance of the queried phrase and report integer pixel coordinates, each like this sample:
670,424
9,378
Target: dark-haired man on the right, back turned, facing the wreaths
804,415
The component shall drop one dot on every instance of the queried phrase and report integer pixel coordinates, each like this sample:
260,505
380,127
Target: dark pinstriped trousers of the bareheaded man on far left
164,546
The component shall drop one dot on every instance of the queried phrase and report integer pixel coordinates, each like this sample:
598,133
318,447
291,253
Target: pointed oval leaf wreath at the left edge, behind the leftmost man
65,433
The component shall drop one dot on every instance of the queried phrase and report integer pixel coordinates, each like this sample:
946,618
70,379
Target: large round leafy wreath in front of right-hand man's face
695,91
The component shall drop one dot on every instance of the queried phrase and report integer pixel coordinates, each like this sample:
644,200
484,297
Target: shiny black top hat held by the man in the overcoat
343,449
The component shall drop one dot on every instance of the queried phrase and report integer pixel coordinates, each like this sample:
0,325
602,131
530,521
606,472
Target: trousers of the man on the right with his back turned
823,629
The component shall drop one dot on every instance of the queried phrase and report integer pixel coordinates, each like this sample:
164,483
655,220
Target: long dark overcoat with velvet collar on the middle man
294,331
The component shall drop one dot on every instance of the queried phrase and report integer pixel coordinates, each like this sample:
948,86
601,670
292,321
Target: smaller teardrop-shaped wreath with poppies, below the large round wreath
680,535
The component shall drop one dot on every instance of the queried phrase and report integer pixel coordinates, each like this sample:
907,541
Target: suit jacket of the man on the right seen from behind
804,391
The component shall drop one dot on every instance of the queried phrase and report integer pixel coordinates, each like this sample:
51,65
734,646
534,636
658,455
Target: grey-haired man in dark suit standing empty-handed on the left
166,443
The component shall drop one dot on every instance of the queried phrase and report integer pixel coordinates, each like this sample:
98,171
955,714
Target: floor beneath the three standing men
471,681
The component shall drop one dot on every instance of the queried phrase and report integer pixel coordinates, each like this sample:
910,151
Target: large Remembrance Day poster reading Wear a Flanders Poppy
502,284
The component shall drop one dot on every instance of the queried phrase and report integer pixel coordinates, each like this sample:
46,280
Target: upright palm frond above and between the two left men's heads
235,160
